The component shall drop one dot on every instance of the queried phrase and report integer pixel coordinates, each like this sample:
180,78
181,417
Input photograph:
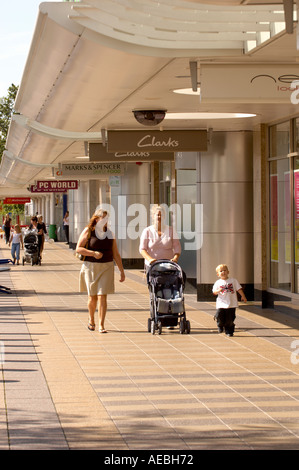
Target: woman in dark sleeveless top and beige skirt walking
99,248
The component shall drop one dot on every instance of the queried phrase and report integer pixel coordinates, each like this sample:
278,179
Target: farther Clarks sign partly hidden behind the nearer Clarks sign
98,153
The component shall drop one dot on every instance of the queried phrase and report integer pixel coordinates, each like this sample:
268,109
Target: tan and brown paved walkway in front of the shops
65,387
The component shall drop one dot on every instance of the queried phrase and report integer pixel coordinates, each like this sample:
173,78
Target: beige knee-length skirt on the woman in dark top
97,278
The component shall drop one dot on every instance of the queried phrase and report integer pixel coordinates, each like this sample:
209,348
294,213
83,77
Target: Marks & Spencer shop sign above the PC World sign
91,169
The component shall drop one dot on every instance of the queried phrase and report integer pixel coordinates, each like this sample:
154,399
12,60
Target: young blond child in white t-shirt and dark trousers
226,289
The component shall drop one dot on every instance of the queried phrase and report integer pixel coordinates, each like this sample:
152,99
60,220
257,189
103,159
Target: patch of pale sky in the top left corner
17,24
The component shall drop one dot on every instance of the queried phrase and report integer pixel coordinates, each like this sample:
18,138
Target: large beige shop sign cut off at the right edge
260,83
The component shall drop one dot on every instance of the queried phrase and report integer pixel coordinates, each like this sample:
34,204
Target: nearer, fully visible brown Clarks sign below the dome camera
157,141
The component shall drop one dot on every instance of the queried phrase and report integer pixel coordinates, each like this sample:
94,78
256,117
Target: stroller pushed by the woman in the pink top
166,282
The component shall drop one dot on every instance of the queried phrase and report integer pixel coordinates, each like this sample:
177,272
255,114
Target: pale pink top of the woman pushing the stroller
159,247
